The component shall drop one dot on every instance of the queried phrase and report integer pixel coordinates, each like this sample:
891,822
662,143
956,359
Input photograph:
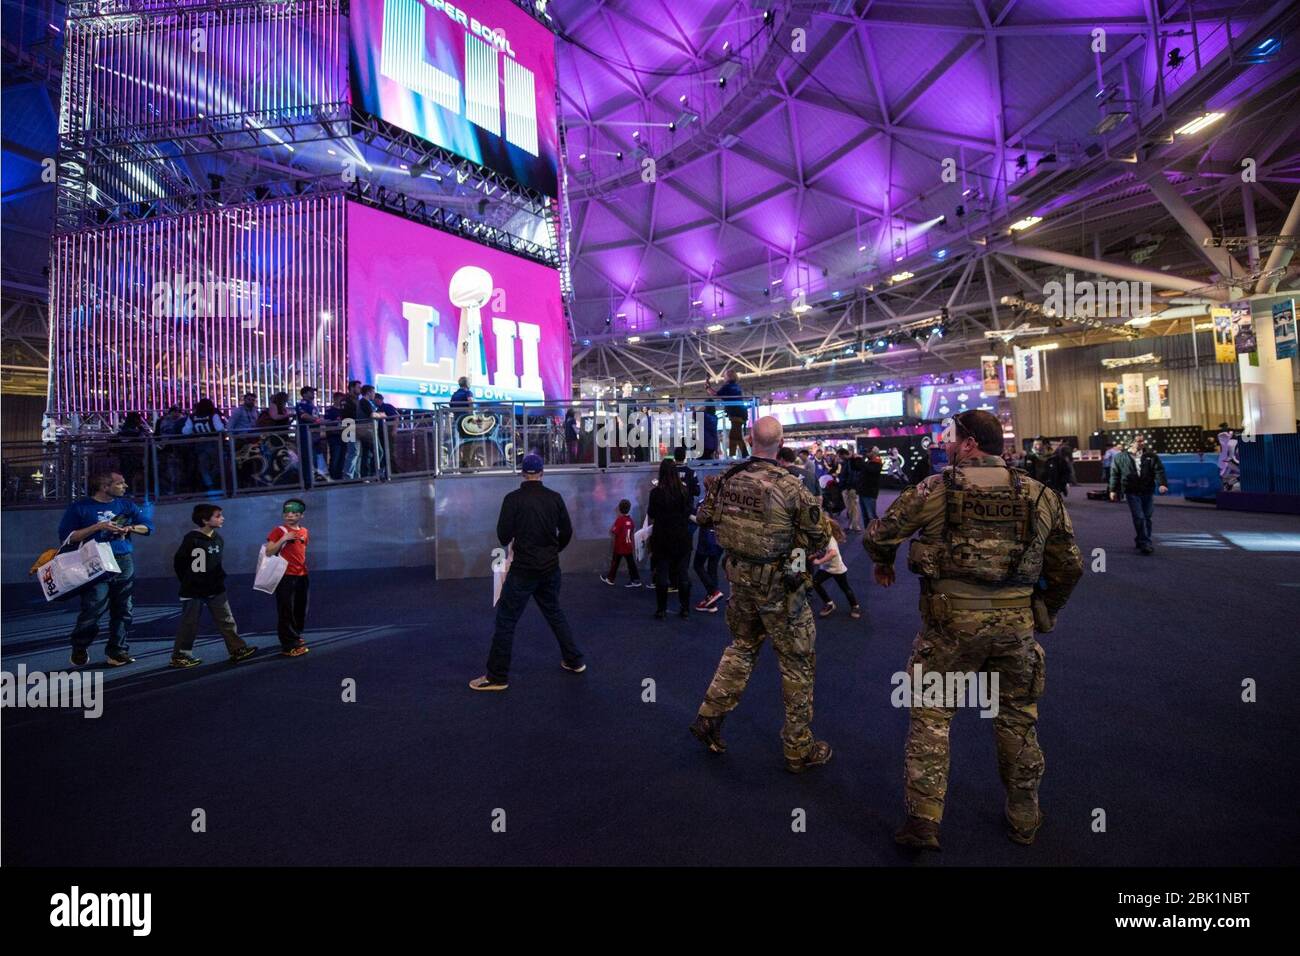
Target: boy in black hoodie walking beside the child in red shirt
203,582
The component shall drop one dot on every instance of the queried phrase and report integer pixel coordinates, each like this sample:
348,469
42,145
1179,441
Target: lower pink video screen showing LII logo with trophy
426,308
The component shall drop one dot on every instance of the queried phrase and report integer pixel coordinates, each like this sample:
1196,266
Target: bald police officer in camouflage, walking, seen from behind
770,526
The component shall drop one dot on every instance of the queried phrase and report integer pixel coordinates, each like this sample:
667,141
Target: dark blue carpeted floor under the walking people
1143,719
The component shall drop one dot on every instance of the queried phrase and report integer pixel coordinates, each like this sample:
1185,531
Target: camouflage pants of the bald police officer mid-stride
753,615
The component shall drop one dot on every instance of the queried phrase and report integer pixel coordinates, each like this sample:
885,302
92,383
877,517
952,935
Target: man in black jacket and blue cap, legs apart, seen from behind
535,521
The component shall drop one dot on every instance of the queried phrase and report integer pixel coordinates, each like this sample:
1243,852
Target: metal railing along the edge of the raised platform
483,438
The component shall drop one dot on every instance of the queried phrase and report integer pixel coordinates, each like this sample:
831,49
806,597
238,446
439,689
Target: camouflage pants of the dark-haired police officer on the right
995,641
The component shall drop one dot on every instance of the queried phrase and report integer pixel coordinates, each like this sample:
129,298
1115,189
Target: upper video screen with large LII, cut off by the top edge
476,77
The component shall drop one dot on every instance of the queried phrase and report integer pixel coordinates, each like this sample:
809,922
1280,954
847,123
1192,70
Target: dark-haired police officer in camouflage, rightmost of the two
998,561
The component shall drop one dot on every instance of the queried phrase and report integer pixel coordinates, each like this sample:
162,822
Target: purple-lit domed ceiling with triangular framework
818,167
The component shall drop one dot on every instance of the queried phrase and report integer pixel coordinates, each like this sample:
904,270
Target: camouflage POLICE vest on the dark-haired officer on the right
990,535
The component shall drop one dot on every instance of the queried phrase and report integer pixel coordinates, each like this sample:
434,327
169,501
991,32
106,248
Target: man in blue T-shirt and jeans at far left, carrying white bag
110,517
